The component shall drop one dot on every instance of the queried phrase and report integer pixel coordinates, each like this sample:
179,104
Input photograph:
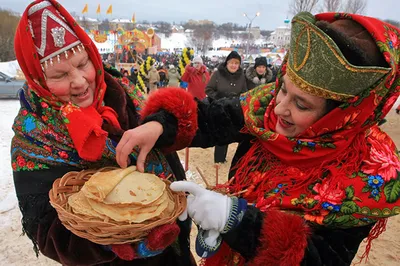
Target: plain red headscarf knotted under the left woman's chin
84,124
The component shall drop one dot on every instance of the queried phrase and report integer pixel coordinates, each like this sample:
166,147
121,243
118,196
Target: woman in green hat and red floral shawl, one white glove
314,172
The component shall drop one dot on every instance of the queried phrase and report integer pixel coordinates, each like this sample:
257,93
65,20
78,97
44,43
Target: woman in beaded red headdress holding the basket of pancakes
73,114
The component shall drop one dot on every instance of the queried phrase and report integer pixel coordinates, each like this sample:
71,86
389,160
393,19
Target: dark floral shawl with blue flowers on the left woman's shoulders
42,140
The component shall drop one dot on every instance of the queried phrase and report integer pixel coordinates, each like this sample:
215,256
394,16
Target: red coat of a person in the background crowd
197,80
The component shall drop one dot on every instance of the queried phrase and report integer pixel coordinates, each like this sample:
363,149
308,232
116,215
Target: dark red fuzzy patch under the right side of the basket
162,236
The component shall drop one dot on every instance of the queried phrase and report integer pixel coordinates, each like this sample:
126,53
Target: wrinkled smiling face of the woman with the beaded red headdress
73,79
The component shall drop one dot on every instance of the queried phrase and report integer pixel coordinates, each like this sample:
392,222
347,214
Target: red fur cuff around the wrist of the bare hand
182,105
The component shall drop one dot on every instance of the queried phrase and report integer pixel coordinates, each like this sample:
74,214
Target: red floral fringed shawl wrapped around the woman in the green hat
342,171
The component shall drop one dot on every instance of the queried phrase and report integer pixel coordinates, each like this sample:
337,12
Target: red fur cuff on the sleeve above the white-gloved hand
283,240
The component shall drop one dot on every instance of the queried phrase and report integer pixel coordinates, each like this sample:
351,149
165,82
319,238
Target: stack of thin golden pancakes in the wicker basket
123,195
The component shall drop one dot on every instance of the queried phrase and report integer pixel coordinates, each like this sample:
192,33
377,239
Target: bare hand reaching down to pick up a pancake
144,136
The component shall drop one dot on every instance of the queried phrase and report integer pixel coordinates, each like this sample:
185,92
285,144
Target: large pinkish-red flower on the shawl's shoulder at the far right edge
382,161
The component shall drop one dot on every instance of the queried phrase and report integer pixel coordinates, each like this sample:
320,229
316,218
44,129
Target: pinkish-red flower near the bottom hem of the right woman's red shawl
332,194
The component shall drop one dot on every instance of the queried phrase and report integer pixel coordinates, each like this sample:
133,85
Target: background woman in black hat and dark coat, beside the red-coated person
228,81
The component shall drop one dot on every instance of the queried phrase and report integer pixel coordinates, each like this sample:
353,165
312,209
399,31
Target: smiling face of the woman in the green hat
296,110
